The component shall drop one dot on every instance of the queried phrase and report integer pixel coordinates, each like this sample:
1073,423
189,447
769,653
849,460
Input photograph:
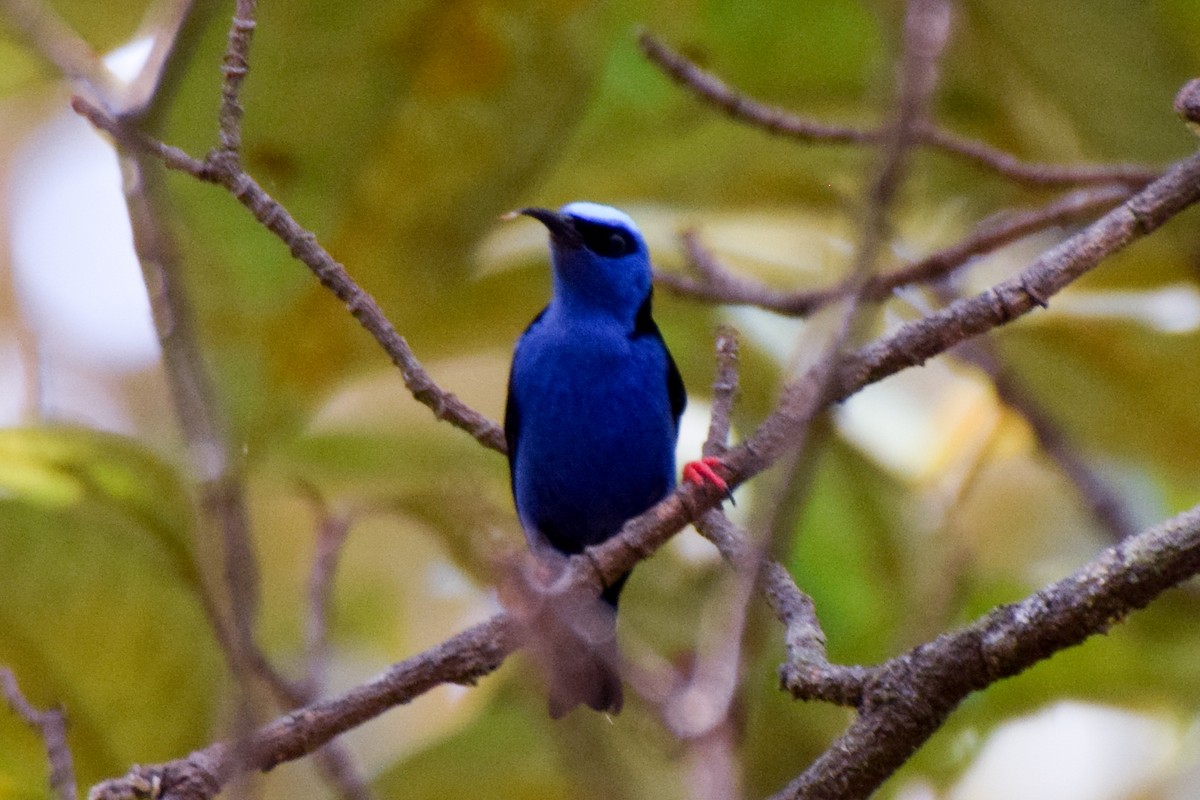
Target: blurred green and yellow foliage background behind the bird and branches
399,134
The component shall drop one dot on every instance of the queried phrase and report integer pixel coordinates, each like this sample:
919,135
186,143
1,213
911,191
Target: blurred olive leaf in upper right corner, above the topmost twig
1101,75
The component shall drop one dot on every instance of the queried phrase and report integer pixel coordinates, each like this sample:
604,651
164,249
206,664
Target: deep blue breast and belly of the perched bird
596,419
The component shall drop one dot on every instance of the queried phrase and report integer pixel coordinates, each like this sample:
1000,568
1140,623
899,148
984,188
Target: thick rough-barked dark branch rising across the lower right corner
913,695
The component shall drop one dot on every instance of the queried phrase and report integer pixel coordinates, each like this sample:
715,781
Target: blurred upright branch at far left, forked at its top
206,431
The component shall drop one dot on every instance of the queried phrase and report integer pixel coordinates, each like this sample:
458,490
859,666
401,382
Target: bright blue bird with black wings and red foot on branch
592,419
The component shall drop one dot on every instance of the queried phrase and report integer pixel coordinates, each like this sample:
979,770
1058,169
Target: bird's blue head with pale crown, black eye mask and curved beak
601,260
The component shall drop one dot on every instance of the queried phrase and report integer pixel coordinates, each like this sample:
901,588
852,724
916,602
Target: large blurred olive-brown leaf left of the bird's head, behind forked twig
433,119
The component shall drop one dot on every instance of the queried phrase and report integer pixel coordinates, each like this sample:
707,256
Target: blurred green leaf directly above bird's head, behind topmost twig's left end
647,141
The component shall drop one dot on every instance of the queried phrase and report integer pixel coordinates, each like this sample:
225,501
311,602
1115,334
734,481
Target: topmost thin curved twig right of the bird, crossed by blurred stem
773,119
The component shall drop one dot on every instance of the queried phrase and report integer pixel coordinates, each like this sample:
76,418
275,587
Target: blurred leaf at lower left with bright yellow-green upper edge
98,605
